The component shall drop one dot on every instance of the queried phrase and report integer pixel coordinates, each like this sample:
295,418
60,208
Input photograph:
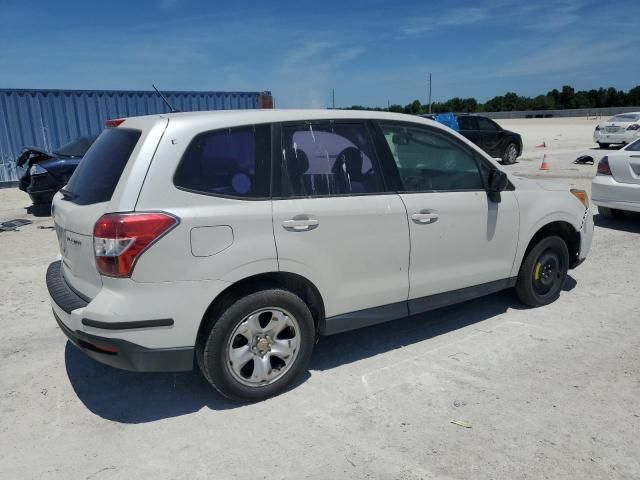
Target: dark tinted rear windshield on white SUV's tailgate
99,171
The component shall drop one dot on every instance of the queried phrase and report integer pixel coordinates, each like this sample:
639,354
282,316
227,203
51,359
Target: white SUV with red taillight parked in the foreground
237,238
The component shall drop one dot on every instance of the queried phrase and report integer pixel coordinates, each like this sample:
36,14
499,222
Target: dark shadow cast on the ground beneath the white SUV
130,397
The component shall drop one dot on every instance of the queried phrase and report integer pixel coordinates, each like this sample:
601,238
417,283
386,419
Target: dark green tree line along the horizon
556,99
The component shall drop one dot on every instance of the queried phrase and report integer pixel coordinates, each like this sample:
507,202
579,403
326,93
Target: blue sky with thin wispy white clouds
370,52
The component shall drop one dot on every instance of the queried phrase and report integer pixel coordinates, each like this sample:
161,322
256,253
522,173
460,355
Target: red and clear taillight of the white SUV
120,238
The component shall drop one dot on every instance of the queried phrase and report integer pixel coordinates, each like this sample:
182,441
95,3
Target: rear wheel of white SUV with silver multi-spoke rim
249,330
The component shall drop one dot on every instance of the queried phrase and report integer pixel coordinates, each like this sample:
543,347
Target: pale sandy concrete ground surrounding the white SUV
546,393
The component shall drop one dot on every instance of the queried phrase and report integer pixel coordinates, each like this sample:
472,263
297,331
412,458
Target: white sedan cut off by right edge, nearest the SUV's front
616,186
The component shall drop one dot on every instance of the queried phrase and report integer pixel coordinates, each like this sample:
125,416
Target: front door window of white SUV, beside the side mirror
430,161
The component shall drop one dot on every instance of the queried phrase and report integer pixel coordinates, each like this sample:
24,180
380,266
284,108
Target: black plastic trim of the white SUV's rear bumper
115,352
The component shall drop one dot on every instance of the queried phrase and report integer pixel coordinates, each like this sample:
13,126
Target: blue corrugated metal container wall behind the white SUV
51,118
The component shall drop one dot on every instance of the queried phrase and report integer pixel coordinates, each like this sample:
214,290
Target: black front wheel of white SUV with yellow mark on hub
543,272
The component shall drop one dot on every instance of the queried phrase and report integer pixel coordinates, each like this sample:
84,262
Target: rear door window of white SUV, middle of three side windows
328,159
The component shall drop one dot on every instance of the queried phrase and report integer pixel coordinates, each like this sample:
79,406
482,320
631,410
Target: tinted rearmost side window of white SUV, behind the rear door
231,162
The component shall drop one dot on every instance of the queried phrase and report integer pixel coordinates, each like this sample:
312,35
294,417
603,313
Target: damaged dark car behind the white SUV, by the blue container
43,173
